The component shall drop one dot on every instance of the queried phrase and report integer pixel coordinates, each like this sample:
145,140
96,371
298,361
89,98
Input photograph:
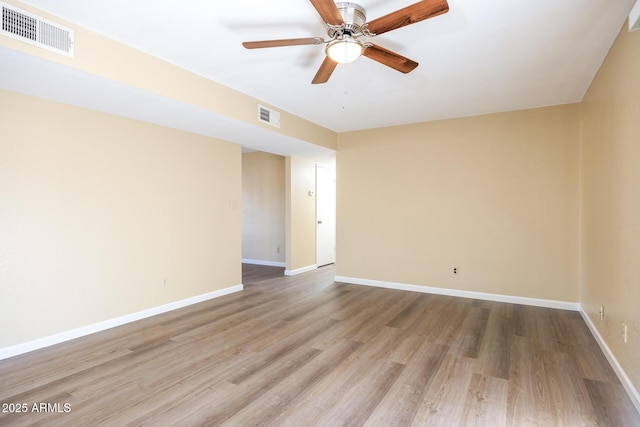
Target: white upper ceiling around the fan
481,57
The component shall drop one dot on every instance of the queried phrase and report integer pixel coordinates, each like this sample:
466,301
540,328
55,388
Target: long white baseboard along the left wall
39,343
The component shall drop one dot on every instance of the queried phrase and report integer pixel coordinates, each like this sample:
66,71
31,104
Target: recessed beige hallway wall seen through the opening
263,218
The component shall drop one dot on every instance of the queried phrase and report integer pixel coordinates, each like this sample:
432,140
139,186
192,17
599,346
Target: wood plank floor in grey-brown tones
305,351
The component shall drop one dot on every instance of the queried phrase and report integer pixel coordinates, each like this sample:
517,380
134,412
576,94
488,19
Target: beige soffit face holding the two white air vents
101,56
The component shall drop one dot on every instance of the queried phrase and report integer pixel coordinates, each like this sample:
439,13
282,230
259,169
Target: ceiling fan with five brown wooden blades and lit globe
347,22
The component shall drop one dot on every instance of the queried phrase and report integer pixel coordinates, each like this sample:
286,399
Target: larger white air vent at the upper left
30,28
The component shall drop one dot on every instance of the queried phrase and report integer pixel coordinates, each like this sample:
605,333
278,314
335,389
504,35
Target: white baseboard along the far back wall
562,305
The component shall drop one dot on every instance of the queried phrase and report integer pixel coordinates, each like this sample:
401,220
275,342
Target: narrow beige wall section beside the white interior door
300,213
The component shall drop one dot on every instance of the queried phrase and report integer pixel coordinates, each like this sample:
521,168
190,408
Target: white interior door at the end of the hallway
325,215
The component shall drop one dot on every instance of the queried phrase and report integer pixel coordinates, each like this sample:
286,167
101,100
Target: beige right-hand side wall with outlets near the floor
610,266
